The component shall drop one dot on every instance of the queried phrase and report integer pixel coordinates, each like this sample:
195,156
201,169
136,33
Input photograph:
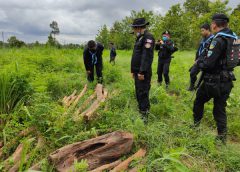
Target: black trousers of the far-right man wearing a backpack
220,93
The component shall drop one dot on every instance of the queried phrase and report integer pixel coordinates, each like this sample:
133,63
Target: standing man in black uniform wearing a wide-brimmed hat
141,64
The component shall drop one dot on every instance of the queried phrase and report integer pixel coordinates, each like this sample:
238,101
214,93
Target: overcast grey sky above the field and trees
78,20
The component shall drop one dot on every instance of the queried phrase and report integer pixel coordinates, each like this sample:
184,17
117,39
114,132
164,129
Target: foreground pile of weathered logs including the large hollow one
101,153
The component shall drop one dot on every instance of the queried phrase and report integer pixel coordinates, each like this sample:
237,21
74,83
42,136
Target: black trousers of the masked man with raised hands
163,69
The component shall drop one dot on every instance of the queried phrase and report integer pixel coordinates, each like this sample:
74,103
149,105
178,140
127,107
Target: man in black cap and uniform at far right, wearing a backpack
217,80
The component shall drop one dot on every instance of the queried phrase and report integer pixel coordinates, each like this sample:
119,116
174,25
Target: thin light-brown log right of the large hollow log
124,165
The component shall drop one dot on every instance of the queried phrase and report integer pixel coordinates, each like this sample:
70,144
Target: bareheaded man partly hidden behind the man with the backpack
202,50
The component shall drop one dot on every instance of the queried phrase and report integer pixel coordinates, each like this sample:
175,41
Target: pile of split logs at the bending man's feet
89,106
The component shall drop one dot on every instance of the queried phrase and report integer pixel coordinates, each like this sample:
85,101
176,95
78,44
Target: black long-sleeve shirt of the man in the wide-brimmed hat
143,53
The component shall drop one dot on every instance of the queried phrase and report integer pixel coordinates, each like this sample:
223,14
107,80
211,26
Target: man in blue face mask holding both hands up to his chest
166,48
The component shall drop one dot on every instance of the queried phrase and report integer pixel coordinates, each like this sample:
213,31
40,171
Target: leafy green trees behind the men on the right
183,22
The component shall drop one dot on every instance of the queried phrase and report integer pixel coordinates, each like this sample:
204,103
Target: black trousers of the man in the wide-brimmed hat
142,89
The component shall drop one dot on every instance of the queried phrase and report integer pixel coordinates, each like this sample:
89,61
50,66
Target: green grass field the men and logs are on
48,74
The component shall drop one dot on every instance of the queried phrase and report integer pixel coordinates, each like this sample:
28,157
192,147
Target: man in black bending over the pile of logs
92,56
